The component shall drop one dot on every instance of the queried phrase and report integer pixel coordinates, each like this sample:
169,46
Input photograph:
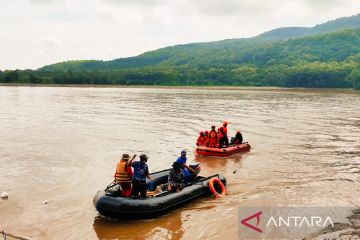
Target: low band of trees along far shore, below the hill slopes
309,75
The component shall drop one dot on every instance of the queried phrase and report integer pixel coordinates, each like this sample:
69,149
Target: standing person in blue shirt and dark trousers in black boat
141,172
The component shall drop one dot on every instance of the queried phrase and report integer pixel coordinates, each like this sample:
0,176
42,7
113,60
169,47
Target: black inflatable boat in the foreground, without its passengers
110,204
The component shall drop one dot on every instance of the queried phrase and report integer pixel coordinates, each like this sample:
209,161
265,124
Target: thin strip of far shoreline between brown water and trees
265,88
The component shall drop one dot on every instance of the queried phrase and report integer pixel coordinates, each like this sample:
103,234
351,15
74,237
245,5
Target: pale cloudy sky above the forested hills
35,33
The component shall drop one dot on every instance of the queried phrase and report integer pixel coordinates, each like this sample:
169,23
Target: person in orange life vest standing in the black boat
124,174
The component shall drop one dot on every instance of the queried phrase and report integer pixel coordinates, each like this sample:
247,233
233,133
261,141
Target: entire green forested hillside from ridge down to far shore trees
327,55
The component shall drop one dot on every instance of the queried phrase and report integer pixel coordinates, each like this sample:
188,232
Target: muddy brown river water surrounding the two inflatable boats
60,146
